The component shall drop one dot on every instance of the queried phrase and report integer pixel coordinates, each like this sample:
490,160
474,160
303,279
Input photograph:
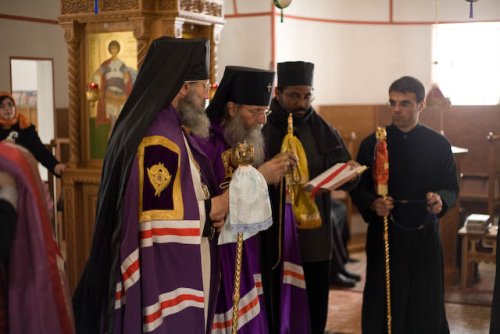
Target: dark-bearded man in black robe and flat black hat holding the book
323,148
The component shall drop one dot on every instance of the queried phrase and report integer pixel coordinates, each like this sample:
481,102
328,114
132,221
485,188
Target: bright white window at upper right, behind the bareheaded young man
467,62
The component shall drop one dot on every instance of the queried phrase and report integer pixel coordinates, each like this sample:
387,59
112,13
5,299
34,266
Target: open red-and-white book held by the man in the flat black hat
333,177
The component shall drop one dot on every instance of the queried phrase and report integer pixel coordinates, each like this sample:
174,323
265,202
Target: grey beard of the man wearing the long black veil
192,112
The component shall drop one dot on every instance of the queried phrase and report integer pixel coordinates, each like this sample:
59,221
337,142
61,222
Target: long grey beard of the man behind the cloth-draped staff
236,132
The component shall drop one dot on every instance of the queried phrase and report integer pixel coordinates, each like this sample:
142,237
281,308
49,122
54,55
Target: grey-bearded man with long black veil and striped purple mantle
151,266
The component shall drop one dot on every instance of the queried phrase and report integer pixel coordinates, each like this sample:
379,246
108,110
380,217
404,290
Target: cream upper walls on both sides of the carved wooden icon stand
358,46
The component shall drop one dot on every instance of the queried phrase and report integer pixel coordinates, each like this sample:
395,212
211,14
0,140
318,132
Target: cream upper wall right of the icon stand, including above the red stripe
358,47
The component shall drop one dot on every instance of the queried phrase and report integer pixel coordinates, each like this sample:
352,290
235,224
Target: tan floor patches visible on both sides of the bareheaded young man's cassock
344,312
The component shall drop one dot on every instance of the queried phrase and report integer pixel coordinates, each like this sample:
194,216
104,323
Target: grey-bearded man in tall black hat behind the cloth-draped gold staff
237,112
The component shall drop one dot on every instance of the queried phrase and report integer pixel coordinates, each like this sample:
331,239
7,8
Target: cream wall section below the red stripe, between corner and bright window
356,64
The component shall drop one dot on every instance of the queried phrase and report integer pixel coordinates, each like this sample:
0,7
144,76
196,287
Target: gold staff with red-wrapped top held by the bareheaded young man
381,176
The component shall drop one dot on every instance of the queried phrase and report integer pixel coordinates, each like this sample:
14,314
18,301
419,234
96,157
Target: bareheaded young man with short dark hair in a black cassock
422,187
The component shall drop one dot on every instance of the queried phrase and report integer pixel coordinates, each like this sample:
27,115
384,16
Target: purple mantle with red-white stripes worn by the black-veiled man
159,287
